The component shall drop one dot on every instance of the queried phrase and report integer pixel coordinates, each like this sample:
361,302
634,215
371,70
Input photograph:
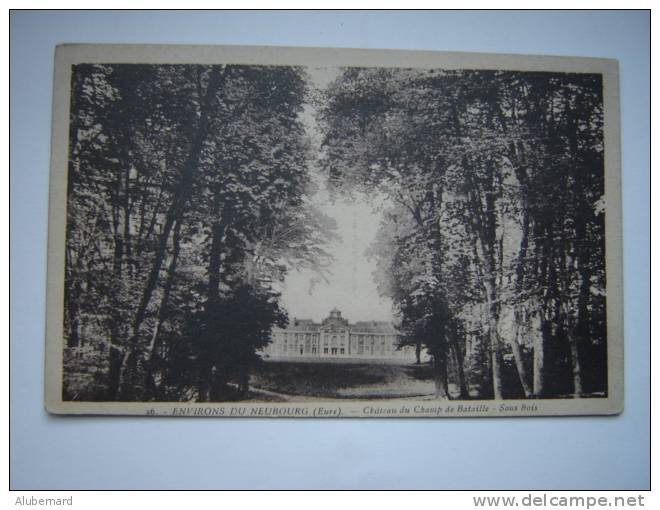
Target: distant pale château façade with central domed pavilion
336,338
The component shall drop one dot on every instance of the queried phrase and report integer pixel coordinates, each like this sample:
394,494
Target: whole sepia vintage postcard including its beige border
304,232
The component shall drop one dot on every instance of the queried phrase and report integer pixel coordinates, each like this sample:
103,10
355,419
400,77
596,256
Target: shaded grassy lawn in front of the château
343,380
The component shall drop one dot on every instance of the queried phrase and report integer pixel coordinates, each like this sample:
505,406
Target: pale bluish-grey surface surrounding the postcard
50,452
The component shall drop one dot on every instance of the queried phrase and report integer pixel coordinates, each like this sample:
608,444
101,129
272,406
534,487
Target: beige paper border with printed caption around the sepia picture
70,54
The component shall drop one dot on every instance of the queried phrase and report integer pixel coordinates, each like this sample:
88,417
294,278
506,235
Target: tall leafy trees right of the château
492,247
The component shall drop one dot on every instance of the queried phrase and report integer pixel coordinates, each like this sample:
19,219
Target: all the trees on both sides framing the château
191,196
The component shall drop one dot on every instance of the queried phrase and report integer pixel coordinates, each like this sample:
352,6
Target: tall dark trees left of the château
188,198
